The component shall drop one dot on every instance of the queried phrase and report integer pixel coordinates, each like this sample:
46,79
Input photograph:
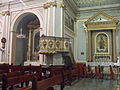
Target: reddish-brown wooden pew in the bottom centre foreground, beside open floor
46,83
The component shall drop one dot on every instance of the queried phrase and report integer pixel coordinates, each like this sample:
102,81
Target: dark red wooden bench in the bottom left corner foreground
12,81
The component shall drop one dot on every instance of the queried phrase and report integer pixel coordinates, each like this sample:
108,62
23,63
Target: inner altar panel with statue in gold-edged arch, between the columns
102,45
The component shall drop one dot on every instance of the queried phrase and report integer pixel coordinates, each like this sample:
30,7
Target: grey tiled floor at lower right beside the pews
94,84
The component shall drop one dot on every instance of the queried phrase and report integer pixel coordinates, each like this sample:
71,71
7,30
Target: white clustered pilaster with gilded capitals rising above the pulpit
54,18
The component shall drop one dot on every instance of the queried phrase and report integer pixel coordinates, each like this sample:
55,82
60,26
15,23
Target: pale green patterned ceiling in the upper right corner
93,3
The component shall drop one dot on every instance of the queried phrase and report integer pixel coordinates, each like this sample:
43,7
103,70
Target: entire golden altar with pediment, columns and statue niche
101,38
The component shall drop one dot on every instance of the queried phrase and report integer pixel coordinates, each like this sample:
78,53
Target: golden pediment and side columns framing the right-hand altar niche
100,21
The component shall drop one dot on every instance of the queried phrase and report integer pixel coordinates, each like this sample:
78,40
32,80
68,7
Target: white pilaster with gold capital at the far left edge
5,33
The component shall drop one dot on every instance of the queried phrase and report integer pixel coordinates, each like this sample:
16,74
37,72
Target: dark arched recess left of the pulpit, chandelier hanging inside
26,38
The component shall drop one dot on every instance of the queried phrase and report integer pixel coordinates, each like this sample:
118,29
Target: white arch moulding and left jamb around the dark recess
14,25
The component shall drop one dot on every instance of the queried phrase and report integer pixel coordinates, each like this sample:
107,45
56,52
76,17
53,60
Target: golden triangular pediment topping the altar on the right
93,23
